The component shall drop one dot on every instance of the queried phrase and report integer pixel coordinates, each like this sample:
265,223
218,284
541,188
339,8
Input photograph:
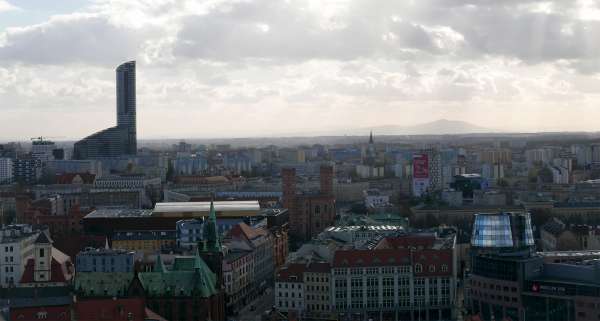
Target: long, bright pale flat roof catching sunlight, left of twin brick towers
220,206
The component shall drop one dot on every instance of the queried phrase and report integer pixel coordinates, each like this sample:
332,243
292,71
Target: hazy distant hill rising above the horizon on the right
438,127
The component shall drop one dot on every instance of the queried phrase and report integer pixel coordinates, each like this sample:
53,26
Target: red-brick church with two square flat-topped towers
310,213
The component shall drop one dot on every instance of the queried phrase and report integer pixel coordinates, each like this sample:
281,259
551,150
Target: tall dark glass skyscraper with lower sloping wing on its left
120,140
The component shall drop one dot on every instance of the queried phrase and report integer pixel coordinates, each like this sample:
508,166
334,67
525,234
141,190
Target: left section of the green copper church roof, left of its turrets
103,283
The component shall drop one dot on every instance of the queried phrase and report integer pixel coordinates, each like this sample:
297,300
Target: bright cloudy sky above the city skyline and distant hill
226,68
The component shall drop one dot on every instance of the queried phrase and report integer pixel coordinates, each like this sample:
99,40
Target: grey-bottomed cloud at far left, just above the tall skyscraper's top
75,38
